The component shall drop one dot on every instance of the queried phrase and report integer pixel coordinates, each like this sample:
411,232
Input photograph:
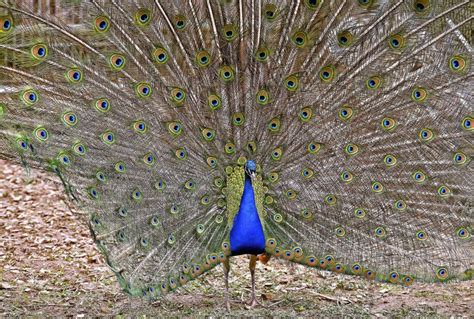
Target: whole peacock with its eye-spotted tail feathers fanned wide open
333,134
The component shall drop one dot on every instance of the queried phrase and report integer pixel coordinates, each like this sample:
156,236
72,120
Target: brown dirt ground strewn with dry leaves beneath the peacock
49,267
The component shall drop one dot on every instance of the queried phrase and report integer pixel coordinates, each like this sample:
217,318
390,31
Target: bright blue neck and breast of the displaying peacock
246,236
